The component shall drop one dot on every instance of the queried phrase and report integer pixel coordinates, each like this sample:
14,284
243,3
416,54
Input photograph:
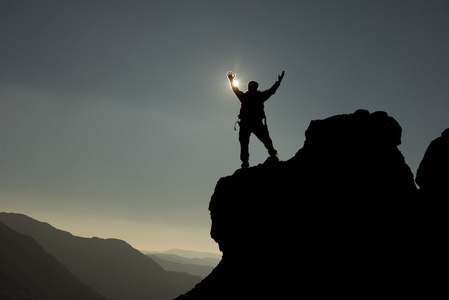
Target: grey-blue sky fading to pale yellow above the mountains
116,117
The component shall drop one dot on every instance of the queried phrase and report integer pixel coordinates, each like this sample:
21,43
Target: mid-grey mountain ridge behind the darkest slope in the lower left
110,266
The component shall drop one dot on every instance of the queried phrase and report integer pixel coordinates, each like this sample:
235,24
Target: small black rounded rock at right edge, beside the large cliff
433,172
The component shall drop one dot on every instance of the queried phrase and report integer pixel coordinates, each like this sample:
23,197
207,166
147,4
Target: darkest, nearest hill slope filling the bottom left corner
27,271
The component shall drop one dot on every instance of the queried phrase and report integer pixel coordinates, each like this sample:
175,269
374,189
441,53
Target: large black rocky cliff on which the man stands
342,217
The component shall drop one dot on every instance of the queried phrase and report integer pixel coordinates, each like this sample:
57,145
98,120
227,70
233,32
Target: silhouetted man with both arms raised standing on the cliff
252,116
